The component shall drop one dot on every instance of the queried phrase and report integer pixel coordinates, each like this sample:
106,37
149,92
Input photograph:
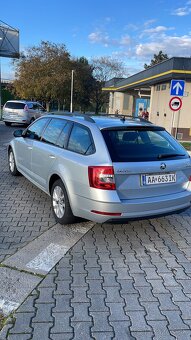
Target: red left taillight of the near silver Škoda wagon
101,177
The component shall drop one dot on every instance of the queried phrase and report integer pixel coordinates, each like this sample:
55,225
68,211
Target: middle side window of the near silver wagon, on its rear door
53,130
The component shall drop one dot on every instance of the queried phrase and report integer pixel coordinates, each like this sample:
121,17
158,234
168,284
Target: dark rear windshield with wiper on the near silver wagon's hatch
142,144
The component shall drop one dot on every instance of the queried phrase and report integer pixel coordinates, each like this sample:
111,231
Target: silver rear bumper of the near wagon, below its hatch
132,209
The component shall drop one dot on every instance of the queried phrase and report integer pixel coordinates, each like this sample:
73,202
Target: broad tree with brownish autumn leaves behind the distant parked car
43,73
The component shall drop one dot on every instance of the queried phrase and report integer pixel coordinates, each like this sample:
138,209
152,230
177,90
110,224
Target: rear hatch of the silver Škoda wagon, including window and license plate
147,162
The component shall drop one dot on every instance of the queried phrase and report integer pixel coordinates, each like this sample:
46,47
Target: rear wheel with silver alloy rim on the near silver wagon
60,204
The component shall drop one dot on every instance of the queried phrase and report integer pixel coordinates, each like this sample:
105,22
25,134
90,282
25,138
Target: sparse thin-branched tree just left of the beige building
104,68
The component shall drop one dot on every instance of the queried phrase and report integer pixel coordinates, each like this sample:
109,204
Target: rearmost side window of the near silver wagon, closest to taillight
80,140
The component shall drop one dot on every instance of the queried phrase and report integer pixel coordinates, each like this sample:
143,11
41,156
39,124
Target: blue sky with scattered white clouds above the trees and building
131,31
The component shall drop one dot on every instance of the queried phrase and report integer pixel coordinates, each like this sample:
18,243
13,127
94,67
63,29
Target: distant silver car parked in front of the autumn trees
22,111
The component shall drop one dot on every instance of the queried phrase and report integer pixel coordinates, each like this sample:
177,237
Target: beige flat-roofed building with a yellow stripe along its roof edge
150,89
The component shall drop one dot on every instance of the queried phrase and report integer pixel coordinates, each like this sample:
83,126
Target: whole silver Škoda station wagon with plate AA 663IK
103,168
